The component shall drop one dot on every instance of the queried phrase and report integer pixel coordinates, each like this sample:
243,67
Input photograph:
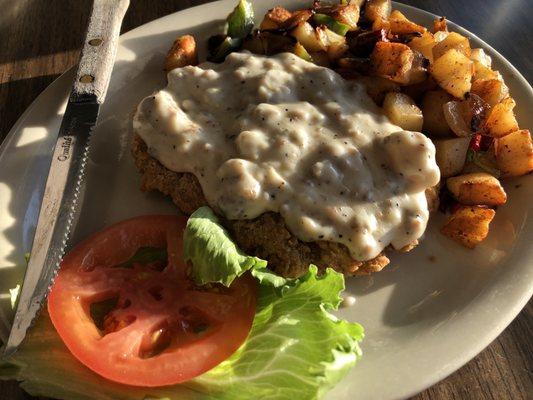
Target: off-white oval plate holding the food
423,319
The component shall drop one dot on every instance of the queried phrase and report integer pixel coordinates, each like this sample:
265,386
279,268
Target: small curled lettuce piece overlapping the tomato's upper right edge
216,259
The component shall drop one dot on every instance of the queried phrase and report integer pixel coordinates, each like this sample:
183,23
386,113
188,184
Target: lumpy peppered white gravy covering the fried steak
284,135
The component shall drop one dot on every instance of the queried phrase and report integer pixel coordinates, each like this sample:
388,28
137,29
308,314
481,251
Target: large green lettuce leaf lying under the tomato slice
296,348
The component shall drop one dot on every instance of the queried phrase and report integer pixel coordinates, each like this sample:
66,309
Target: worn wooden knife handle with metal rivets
99,51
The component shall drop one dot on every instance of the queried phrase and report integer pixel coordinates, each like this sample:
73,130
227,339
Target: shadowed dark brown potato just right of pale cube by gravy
432,107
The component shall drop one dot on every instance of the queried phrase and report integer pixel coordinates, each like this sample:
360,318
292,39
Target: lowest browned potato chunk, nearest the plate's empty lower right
468,225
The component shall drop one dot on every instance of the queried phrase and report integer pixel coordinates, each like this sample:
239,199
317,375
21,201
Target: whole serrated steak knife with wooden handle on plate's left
67,167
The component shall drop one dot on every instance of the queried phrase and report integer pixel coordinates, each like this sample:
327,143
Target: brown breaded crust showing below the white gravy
265,236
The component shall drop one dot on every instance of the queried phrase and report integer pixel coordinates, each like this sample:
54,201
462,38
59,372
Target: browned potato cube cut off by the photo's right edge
514,153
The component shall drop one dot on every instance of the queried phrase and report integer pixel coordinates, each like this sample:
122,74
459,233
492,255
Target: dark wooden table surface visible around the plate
41,39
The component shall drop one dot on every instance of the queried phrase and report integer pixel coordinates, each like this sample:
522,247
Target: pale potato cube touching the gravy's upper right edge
402,111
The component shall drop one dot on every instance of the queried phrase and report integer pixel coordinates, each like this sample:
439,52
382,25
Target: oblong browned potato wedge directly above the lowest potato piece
477,189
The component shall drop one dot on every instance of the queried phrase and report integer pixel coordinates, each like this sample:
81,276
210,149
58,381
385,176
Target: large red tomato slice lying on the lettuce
155,327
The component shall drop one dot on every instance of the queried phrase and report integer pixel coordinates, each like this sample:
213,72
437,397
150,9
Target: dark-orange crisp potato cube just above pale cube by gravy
392,61
